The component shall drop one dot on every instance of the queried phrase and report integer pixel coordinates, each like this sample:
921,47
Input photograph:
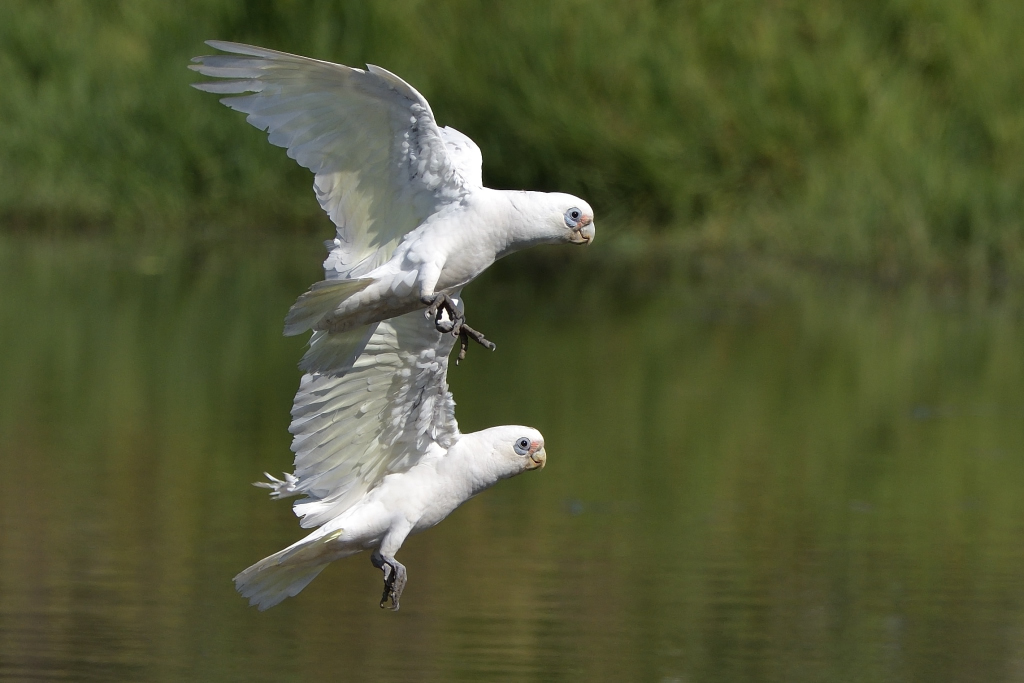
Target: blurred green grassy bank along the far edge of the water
881,136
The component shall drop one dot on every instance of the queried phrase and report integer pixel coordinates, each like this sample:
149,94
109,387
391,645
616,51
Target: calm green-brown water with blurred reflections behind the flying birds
754,476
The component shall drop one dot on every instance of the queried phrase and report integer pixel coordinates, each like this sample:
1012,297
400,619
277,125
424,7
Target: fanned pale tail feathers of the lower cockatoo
286,573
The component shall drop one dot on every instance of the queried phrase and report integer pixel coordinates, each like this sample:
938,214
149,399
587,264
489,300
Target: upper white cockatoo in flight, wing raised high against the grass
414,222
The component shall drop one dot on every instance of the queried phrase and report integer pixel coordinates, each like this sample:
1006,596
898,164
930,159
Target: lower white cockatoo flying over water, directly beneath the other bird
378,456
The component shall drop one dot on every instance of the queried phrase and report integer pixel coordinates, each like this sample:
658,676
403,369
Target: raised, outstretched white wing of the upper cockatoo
380,161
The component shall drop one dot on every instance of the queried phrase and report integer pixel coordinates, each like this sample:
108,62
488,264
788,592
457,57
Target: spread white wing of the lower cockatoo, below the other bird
380,414
